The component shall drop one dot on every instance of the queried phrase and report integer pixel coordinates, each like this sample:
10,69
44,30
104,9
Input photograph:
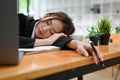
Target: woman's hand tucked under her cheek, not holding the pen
54,37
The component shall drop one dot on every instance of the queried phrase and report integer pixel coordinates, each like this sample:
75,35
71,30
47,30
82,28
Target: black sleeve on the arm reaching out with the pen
62,41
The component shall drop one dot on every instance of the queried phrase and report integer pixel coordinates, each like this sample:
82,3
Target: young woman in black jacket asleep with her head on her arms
53,29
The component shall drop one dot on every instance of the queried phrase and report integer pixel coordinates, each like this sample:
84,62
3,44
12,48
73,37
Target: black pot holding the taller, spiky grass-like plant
104,39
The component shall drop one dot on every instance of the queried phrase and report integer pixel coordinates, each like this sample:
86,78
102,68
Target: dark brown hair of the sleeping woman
65,19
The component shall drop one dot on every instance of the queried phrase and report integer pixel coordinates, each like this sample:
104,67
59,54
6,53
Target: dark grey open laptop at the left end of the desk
9,43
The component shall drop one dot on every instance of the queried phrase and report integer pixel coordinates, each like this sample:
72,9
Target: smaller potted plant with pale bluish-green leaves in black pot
93,35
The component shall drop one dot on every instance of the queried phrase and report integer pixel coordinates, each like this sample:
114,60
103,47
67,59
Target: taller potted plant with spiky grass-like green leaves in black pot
104,28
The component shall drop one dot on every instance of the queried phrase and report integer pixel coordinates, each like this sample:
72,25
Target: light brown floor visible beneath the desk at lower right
105,74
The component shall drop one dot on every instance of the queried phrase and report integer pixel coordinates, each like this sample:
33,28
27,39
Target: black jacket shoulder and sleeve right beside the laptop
26,25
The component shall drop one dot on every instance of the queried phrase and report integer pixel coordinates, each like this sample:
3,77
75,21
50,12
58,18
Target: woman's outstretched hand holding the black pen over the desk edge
86,49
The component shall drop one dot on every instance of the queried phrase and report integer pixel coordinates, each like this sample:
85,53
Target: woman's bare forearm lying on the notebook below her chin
42,42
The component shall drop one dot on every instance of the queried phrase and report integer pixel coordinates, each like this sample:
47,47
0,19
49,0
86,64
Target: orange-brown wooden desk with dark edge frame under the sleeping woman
55,64
